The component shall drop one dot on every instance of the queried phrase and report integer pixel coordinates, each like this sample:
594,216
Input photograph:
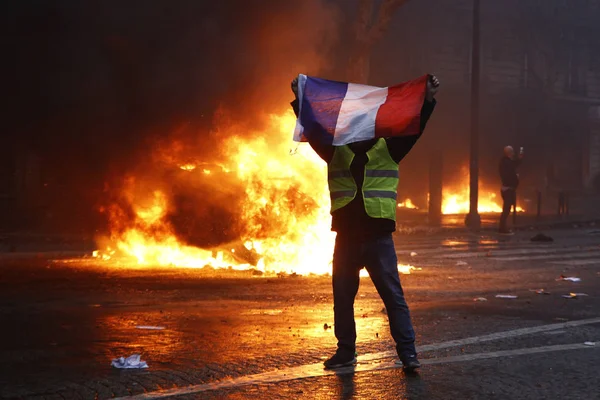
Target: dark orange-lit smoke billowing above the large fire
99,87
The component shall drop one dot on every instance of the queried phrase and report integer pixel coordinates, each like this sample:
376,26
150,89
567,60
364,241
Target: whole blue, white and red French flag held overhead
338,113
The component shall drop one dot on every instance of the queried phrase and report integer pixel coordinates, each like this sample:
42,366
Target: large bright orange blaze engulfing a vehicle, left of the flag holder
284,210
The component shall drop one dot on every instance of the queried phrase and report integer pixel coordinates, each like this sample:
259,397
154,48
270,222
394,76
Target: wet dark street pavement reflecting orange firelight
235,335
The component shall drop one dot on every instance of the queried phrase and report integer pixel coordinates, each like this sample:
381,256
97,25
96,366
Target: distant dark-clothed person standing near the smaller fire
510,183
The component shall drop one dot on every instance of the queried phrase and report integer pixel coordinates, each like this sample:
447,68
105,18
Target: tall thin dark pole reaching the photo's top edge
473,220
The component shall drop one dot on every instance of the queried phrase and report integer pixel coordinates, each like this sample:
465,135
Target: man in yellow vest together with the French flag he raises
363,132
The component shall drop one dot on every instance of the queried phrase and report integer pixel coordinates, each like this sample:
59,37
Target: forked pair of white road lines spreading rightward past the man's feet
316,370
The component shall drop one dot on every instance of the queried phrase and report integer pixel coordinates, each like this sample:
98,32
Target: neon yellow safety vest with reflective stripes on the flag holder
380,183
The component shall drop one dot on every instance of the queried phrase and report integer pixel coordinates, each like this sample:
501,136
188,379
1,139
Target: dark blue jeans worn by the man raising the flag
378,255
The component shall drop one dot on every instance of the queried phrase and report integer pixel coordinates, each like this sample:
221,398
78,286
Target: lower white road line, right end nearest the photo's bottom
316,370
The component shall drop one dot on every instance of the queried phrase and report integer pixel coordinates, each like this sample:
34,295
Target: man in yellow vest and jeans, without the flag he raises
363,181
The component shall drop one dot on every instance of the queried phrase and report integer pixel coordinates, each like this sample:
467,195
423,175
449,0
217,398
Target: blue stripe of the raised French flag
321,104
